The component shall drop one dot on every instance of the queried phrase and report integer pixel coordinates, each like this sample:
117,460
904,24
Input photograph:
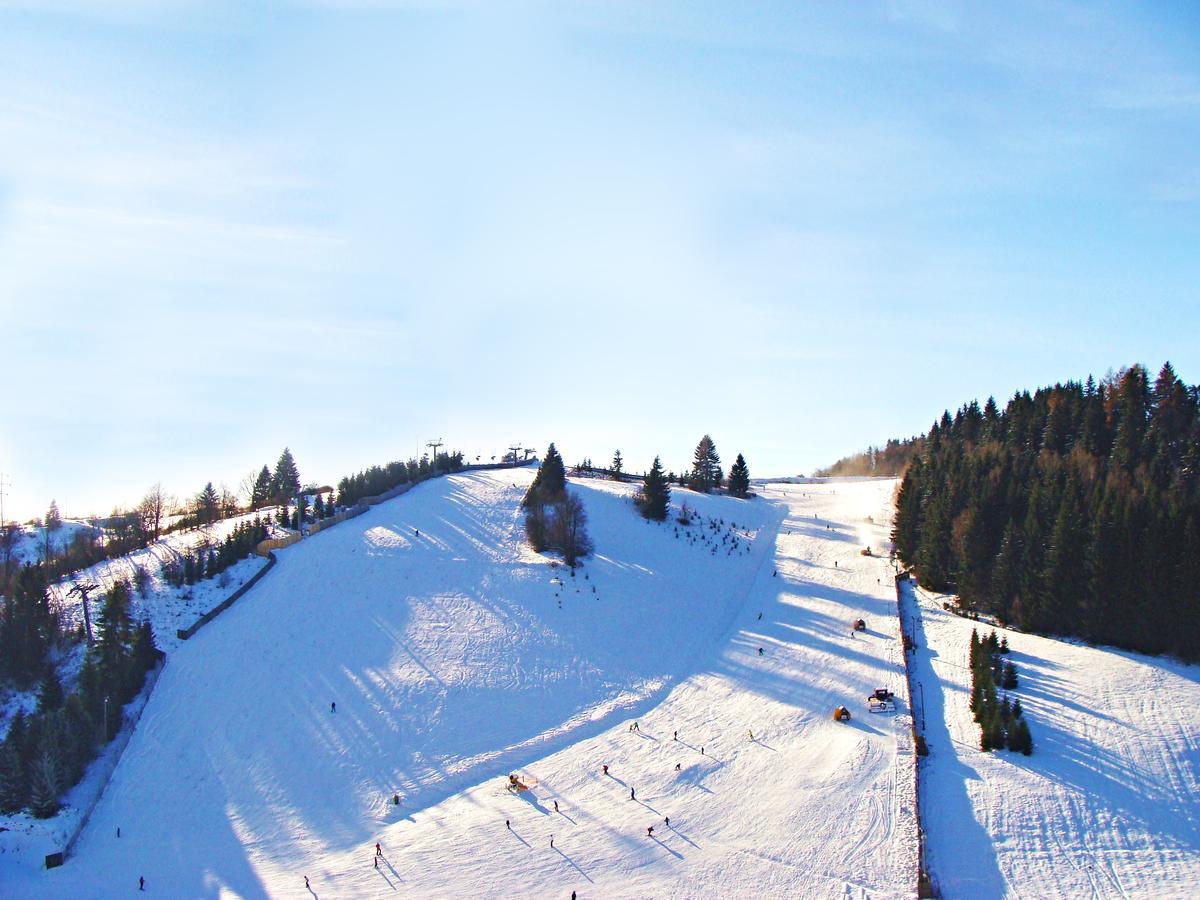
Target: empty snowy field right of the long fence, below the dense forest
1108,803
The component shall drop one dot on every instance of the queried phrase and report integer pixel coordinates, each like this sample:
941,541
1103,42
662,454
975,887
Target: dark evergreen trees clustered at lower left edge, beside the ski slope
45,754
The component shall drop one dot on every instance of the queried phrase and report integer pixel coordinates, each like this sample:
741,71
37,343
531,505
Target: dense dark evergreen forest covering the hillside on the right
1073,512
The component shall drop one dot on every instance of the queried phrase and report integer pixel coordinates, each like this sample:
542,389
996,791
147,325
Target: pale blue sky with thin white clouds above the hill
356,227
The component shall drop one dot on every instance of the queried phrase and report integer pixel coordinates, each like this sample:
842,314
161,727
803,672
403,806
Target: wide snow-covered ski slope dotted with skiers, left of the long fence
457,656
